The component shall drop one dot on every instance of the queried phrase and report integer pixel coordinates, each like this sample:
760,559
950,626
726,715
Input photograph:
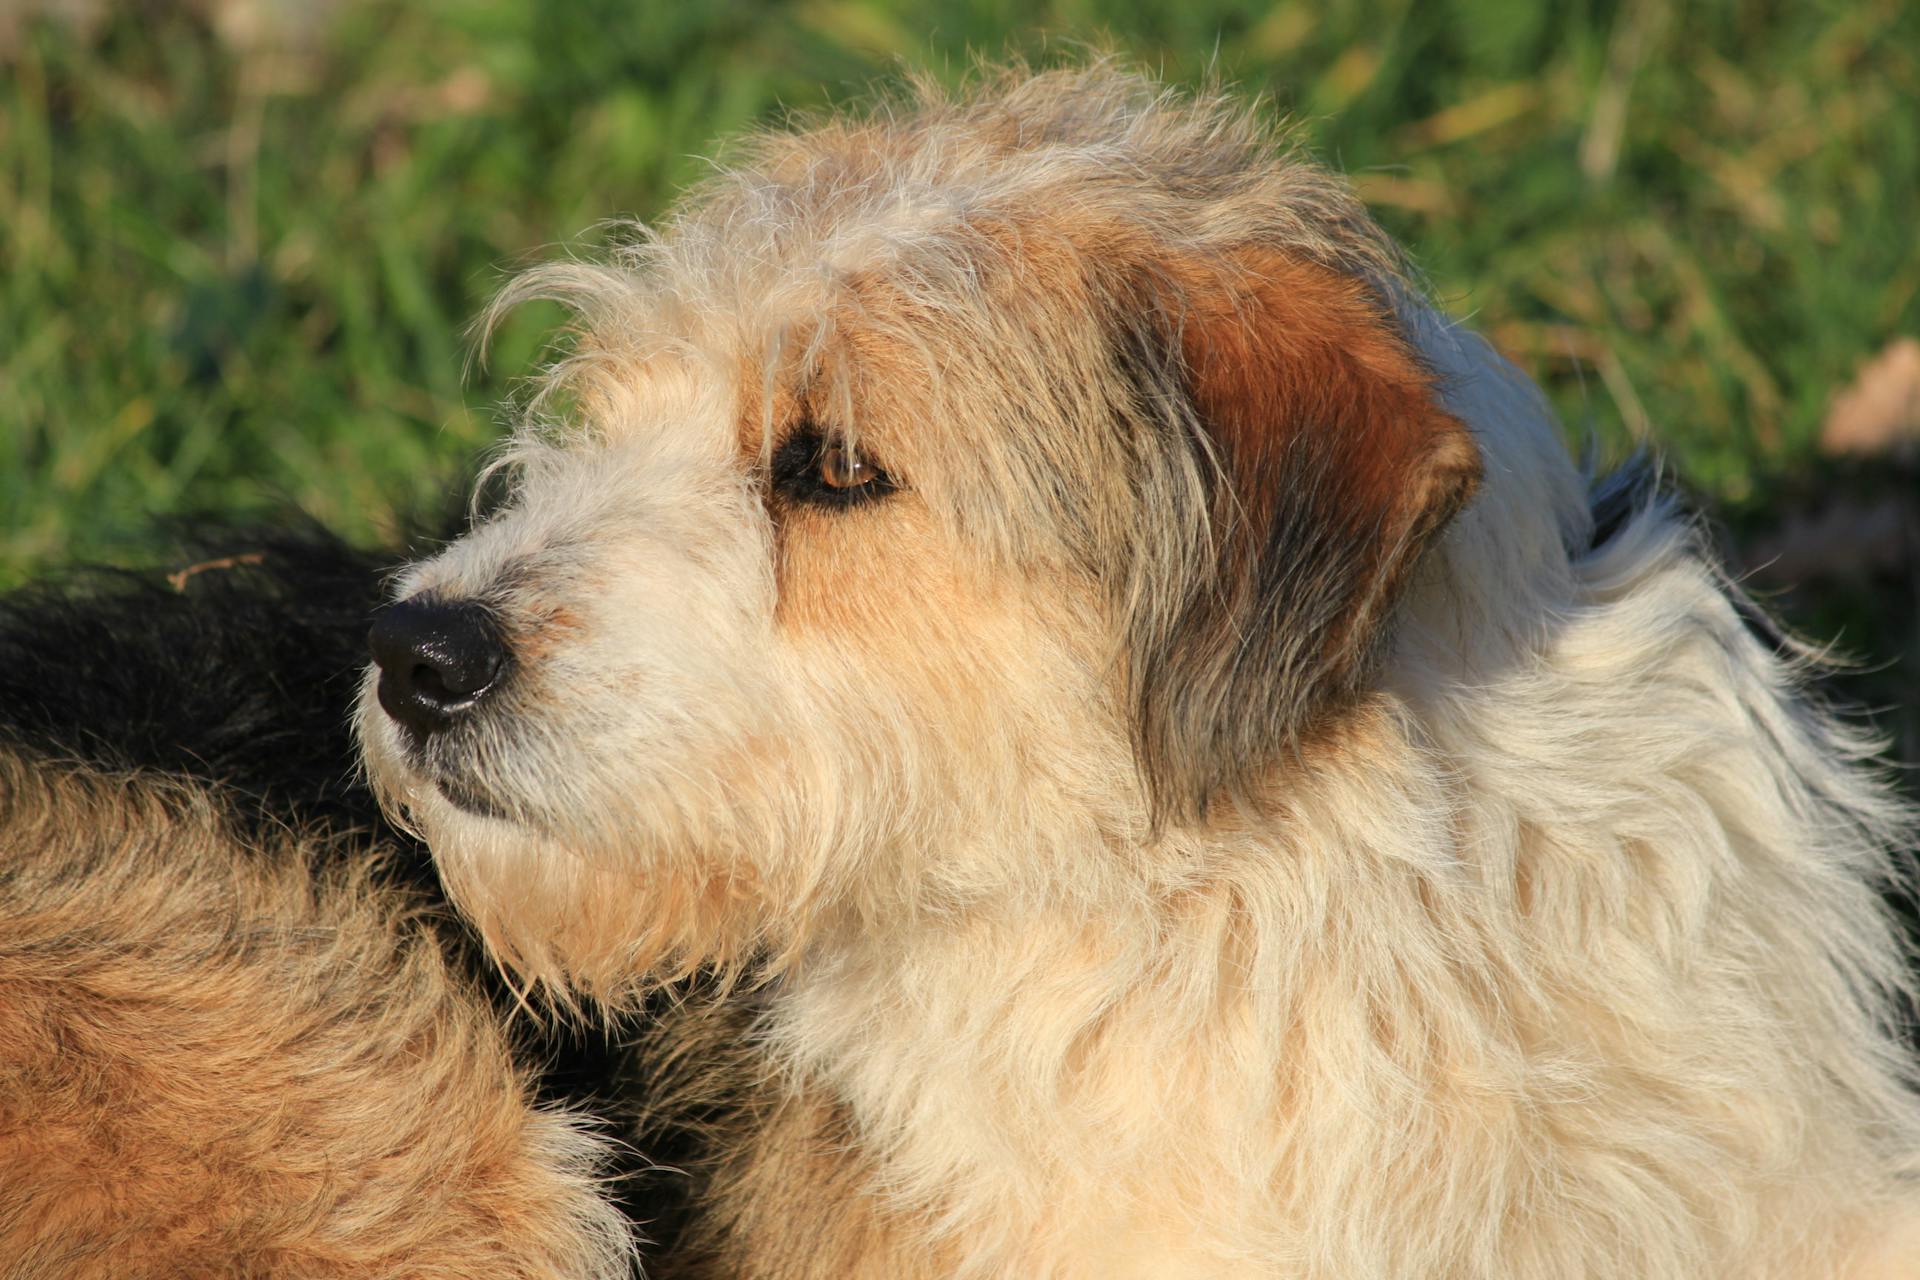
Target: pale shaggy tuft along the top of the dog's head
1095,154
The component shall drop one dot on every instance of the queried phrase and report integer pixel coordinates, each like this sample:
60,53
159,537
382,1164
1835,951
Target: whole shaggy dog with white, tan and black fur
1092,732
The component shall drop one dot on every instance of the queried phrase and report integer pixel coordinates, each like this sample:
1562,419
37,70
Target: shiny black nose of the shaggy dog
437,659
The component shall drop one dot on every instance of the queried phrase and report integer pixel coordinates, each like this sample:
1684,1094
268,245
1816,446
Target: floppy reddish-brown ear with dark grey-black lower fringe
1328,465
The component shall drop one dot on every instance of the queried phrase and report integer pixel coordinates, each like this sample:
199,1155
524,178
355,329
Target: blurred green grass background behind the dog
241,239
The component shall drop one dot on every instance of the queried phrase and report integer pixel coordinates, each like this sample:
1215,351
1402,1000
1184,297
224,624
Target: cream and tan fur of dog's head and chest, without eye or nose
1172,838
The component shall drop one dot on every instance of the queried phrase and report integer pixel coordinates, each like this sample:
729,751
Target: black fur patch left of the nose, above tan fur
243,675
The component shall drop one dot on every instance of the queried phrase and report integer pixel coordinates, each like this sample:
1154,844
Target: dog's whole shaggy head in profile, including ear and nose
932,506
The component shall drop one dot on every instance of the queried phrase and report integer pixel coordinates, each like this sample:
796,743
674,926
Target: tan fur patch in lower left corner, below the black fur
229,1062
